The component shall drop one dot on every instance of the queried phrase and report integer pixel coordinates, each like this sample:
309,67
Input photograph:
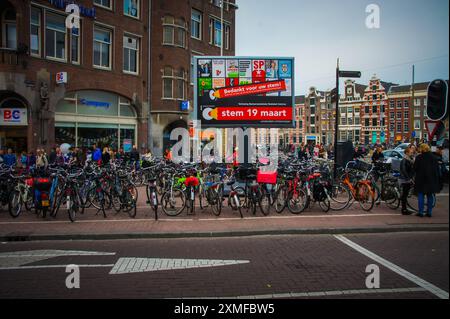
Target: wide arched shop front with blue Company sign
86,118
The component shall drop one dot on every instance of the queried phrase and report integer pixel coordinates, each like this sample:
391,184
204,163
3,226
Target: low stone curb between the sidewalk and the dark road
17,237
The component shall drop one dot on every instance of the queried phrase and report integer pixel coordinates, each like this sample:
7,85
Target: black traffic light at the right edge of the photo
437,104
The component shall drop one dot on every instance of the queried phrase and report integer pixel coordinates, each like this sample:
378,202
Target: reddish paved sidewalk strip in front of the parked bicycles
204,224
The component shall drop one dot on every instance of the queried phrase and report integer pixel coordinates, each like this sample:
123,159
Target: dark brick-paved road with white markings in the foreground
411,265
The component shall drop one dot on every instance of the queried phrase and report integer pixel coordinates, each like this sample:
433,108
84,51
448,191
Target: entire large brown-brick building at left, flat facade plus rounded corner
128,68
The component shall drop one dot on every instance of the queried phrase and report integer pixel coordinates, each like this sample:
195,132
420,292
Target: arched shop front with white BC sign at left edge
13,122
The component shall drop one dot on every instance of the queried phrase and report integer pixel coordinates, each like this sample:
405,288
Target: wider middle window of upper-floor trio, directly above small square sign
55,37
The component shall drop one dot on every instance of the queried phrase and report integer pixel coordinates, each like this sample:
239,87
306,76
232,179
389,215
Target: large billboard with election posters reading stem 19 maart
244,91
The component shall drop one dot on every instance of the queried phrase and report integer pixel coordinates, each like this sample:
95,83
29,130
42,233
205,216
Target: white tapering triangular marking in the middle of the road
129,265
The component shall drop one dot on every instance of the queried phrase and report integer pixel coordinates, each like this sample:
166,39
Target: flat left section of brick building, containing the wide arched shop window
105,97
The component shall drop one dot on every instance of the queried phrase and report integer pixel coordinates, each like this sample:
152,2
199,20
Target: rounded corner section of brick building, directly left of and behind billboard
181,30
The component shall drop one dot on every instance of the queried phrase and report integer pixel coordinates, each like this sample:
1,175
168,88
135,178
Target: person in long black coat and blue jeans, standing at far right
426,168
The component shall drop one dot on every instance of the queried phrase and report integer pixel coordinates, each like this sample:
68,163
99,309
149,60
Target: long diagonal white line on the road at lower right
402,272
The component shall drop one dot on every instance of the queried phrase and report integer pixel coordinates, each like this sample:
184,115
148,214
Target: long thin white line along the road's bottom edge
320,293
